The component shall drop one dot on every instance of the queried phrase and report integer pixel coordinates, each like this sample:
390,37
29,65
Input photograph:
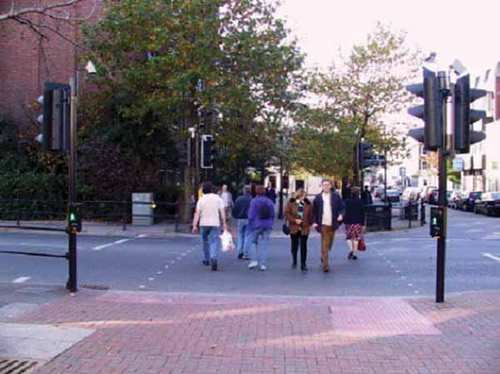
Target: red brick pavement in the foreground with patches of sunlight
149,333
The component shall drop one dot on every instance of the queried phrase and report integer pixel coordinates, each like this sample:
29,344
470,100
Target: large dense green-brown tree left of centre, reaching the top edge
162,63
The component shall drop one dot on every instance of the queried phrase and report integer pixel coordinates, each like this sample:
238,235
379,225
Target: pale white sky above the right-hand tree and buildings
469,33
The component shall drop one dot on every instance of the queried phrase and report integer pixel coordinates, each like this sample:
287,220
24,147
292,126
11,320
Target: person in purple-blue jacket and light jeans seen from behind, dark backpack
260,219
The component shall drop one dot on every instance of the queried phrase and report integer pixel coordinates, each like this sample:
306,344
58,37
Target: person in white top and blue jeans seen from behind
209,214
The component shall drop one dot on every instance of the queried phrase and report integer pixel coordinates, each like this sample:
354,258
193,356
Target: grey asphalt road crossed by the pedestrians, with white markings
397,263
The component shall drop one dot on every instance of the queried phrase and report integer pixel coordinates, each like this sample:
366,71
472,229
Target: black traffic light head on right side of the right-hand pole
464,116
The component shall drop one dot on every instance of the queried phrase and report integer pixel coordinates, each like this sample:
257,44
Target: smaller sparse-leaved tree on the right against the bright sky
353,99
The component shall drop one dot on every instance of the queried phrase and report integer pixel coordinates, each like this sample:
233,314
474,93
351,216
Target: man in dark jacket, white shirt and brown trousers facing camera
328,211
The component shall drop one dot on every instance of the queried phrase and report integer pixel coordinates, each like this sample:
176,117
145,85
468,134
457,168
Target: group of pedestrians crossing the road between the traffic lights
255,218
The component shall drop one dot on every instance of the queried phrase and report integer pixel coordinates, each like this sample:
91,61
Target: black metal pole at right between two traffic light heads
441,244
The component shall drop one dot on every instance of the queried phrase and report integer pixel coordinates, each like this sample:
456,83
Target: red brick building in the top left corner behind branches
27,60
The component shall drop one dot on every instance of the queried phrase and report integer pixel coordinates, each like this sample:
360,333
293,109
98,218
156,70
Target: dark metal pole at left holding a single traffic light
72,242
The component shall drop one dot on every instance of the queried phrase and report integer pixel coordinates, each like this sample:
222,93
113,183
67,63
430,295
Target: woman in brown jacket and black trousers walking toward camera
298,212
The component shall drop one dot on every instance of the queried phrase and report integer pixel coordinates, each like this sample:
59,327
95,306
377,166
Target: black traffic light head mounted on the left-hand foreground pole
55,119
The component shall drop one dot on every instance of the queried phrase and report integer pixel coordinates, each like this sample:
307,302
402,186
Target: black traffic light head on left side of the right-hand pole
430,112
